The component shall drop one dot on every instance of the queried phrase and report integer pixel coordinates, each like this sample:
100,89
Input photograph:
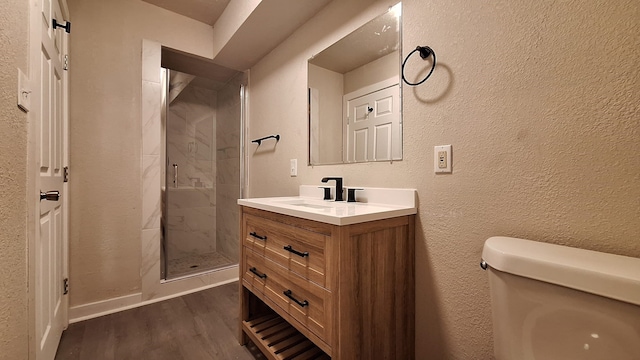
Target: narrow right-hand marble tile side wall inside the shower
228,165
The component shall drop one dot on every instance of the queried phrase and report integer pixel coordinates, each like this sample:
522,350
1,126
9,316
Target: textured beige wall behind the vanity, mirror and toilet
540,102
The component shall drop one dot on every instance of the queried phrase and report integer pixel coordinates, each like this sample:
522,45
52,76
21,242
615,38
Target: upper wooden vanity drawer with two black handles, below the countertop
294,248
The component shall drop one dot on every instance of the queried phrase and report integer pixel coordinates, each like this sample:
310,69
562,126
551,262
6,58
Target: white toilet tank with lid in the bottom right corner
556,302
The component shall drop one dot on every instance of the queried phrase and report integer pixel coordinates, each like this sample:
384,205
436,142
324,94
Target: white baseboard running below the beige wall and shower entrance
126,302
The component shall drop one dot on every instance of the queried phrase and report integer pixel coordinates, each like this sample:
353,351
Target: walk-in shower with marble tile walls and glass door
201,131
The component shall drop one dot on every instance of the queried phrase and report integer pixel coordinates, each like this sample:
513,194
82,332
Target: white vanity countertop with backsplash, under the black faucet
373,204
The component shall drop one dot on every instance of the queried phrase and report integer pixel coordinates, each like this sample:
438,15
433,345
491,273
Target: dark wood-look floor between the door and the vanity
198,326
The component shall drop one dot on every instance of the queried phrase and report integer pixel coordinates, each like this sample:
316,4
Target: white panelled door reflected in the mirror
373,126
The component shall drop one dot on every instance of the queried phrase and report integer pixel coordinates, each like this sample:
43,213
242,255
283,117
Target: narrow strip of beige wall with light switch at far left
14,37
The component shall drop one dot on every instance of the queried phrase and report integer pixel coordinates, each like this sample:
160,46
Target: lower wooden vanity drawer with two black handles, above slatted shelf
306,302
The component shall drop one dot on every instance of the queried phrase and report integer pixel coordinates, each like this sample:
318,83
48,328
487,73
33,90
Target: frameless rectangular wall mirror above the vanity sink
355,109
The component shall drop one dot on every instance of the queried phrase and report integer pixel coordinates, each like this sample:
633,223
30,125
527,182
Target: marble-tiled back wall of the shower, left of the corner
191,140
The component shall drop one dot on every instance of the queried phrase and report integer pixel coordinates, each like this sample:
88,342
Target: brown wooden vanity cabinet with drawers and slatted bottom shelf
346,290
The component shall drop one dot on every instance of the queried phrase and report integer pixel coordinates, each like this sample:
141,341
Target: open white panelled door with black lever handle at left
50,145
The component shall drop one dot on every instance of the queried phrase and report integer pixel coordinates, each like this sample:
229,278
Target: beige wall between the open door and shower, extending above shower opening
105,137
